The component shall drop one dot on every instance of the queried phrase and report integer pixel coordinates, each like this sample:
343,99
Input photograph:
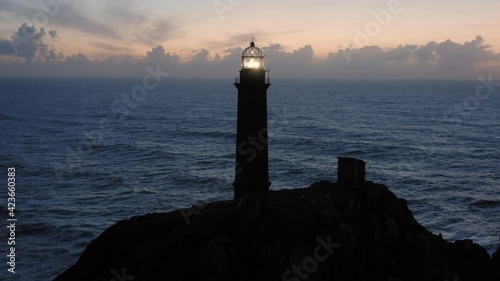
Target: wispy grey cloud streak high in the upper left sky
117,20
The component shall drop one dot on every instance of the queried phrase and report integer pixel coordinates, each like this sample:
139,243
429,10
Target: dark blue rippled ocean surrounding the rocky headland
88,153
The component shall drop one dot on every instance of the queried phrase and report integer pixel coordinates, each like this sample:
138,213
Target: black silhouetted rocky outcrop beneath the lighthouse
323,232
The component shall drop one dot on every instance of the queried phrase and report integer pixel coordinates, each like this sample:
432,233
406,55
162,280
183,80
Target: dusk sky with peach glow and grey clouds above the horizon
332,39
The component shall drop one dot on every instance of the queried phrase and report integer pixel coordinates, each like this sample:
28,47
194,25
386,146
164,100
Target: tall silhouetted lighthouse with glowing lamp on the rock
252,168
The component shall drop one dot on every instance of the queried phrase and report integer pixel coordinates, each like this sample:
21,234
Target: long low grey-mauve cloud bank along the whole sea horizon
435,60
